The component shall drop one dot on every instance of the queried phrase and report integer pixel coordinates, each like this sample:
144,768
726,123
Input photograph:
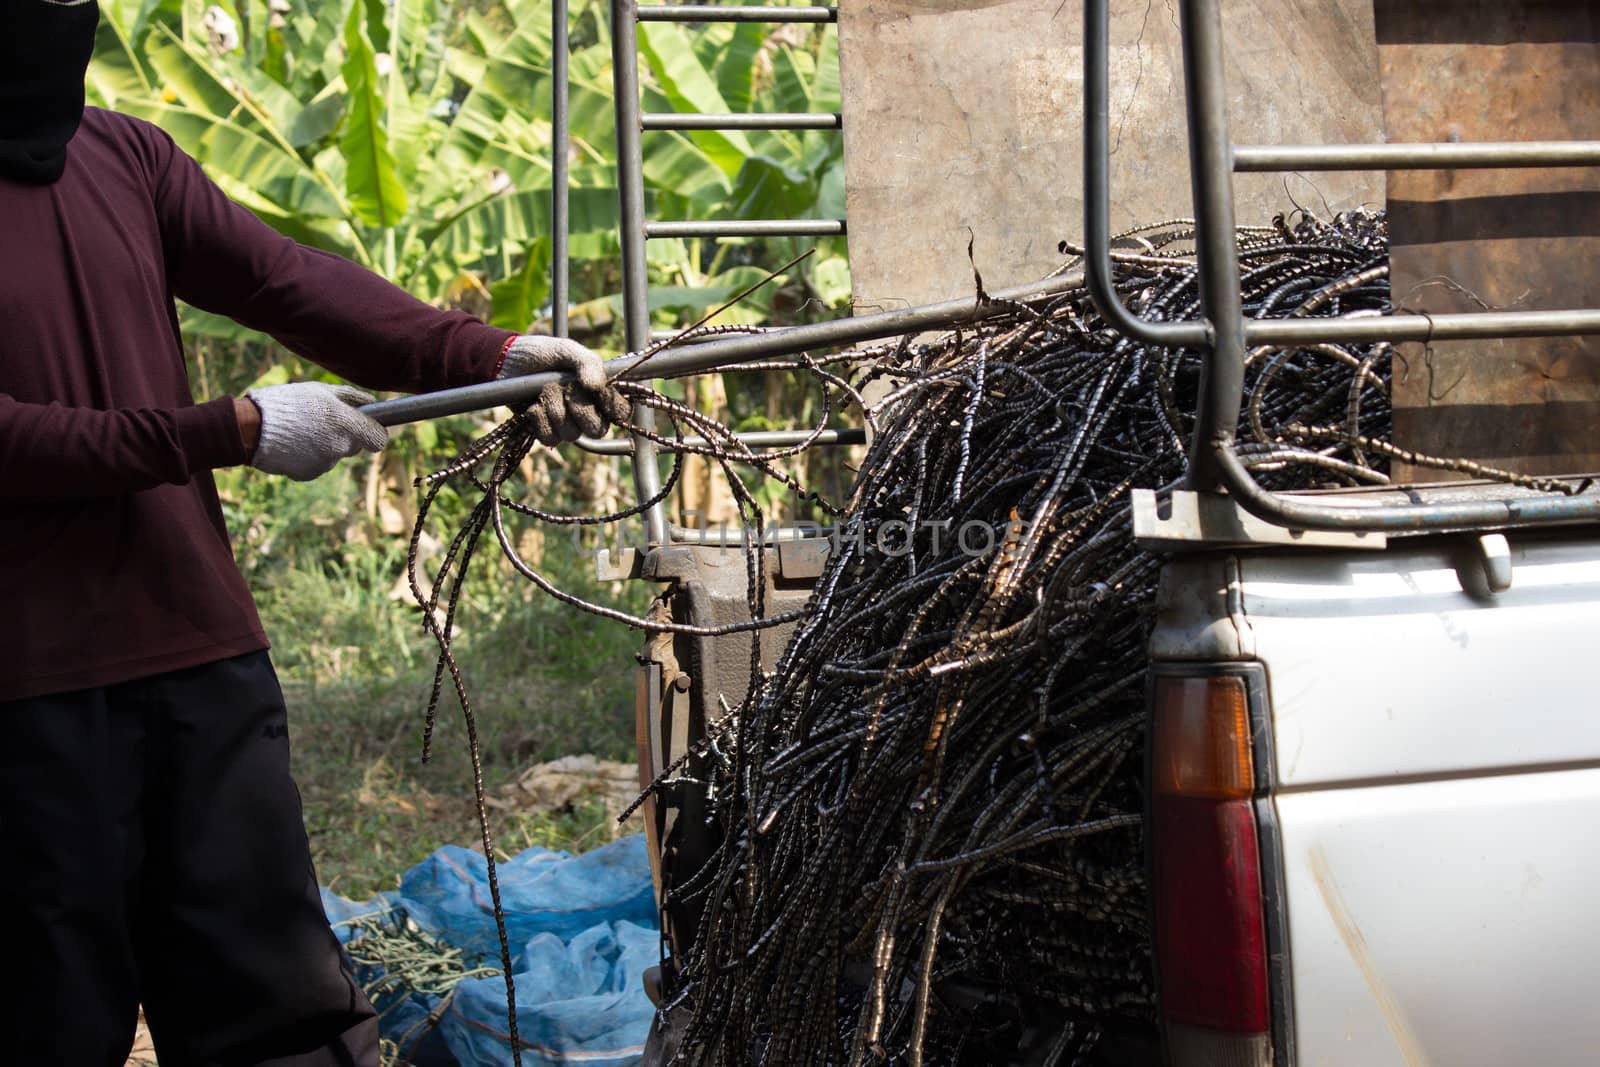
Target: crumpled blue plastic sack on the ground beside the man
583,930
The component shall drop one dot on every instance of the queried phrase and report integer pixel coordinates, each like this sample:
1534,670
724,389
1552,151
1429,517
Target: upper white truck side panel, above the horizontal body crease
1382,666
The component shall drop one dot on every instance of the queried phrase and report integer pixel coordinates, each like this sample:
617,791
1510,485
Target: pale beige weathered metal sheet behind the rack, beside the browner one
967,118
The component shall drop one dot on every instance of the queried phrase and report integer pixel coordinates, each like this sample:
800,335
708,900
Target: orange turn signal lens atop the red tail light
1201,743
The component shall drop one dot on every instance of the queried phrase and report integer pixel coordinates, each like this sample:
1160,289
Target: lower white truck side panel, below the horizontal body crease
1446,922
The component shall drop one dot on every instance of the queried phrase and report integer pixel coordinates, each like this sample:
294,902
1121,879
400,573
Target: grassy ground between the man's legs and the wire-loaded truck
358,669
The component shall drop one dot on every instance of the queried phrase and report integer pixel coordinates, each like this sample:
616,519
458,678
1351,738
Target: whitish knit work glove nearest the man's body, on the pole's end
306,428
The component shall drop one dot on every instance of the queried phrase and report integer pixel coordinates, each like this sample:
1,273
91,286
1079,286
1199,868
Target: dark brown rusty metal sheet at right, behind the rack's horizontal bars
1506,239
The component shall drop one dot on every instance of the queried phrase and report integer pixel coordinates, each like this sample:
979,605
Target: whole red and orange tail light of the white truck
1206,868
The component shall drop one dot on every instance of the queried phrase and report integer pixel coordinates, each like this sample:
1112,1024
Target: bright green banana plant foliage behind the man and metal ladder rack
358,127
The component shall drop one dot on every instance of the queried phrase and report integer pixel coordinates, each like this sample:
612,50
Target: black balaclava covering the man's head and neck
46,50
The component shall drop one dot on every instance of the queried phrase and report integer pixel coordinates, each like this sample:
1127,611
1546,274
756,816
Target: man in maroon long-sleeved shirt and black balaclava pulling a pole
151,836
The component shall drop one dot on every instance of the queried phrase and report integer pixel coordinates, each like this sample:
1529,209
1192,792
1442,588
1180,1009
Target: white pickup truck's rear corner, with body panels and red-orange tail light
1375,791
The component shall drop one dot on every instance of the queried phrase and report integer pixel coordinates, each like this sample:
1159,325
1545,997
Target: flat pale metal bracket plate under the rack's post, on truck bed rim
1186,521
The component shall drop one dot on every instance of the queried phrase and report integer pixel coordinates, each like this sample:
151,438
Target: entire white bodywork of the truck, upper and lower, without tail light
1438,791
